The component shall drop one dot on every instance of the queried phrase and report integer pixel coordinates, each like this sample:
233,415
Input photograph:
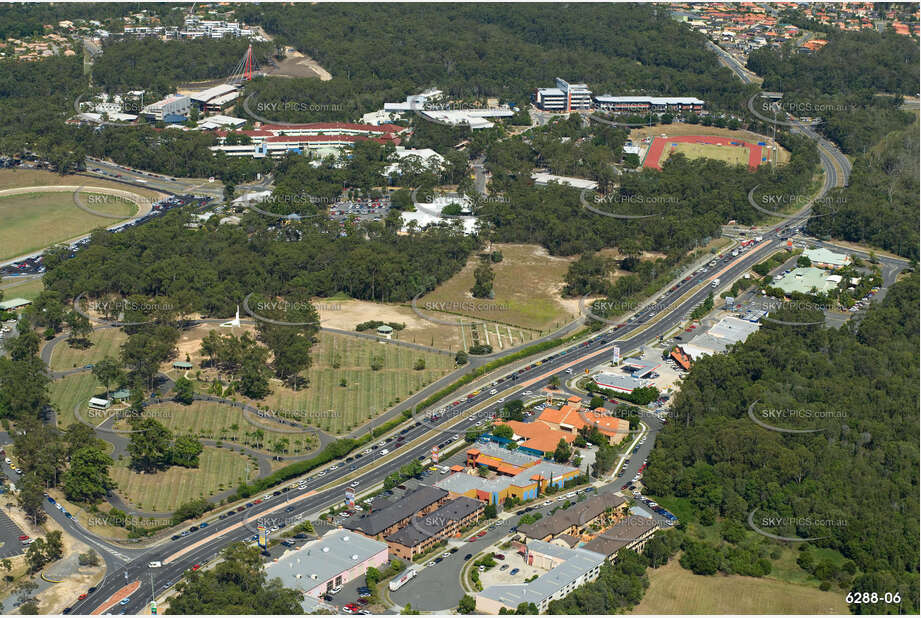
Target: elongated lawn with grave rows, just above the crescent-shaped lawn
216,421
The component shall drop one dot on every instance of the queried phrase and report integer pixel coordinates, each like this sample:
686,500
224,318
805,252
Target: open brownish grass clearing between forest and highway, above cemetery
527,292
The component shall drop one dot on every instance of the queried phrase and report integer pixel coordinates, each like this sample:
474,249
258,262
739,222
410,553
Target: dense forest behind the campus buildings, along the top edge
377,53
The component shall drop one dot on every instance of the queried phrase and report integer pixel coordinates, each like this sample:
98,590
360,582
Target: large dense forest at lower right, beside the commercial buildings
856,473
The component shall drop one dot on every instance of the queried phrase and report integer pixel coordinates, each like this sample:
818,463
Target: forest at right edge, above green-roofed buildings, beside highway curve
880,205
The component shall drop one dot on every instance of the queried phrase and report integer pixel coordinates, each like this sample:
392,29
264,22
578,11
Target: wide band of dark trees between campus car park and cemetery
218,266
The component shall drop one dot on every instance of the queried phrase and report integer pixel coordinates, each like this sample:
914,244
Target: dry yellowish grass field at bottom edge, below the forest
673,590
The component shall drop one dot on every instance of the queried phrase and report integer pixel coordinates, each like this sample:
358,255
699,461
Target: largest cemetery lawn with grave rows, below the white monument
324,403
